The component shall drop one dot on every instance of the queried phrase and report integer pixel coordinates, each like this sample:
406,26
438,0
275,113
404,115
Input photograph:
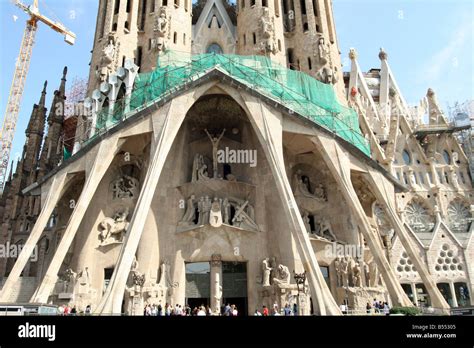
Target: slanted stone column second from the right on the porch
338,163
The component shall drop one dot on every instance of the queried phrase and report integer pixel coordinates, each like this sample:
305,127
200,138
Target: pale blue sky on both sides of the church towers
429,42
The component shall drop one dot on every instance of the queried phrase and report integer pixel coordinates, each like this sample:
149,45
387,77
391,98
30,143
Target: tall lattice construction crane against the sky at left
19,78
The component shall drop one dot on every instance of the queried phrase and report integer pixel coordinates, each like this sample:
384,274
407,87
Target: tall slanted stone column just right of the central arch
270,137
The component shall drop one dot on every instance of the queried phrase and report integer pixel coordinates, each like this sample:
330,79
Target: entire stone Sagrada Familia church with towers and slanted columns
223,156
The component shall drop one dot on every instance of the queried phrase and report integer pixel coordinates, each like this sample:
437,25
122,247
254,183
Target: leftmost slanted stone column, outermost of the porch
54,194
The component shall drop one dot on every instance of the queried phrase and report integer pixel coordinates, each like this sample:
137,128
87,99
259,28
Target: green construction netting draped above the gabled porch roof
297,91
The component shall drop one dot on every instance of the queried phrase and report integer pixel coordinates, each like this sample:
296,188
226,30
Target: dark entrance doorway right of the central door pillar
234,285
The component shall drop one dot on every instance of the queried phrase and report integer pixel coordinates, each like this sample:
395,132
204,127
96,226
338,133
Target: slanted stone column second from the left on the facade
105,154
